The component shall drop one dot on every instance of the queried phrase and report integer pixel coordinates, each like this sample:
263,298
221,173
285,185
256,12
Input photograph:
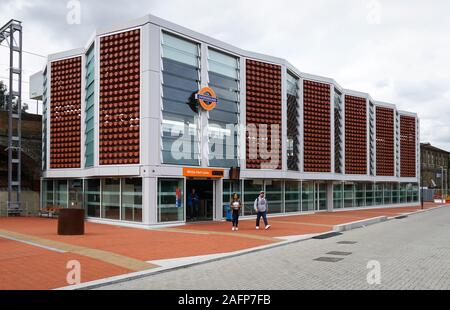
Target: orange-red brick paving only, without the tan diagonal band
27,267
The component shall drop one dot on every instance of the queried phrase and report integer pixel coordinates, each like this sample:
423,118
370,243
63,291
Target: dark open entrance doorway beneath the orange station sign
199,200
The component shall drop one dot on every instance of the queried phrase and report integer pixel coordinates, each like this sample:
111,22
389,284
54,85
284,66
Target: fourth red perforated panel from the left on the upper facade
317,129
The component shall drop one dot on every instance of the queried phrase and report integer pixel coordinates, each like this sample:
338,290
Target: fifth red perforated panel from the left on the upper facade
355,135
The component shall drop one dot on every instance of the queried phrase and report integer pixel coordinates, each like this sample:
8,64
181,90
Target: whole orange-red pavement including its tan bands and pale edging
33,256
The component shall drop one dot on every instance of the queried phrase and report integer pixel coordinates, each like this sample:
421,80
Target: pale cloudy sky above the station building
397,51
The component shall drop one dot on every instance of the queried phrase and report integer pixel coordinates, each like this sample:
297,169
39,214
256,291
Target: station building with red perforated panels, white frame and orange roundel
148,110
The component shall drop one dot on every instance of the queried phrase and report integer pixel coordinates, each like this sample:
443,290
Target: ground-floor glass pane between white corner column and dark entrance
170,200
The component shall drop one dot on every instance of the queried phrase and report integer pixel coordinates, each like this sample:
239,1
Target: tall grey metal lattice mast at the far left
12,34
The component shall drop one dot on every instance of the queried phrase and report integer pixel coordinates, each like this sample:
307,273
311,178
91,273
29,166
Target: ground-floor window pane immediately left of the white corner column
132,200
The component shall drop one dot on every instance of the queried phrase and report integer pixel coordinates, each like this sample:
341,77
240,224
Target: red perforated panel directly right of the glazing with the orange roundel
263,106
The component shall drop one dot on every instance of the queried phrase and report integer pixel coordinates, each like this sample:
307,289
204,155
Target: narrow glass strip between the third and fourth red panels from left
292,122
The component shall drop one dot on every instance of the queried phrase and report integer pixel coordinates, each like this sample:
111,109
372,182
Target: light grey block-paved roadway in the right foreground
411,253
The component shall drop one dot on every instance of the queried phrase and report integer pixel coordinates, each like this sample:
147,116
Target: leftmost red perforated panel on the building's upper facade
65,114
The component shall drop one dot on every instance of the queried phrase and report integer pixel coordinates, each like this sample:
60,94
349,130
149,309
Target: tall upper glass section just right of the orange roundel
224,78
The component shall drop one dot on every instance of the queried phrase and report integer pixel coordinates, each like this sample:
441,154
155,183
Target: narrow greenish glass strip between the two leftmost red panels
90,95
